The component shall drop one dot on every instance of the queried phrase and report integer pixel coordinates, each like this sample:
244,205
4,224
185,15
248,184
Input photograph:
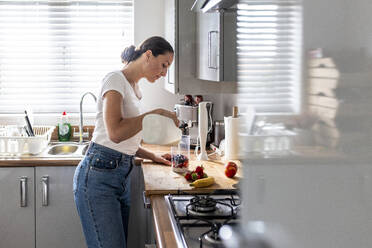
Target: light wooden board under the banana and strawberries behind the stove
161,180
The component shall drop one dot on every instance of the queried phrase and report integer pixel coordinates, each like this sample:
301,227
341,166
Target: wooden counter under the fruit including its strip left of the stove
160,180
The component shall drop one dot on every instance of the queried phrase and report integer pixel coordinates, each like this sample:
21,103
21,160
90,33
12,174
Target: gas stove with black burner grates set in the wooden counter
196,219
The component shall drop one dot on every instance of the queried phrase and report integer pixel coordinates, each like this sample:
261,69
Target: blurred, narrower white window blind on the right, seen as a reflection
269,47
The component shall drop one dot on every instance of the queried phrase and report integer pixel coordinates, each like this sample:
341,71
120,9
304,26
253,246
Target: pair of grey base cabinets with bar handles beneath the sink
48,217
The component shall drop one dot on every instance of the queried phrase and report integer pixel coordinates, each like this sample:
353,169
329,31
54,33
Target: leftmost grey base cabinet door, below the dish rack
17,216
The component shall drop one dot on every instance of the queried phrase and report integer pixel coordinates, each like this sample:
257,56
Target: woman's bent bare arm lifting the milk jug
120,128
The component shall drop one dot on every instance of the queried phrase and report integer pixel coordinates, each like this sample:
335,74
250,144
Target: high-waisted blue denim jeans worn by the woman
102,196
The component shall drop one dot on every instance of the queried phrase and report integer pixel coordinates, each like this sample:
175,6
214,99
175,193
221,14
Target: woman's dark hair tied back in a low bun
156,44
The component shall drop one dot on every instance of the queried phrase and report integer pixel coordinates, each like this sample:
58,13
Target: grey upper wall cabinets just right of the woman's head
182,30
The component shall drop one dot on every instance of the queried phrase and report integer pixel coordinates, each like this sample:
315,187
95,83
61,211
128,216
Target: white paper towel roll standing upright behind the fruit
231,138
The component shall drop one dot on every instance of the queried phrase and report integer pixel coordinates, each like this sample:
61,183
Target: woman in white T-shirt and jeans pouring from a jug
101,181
